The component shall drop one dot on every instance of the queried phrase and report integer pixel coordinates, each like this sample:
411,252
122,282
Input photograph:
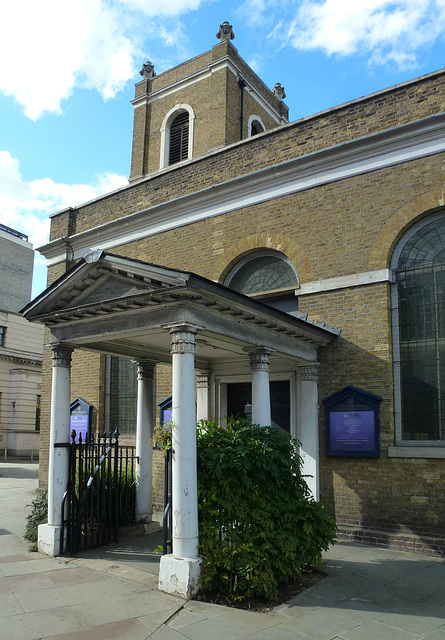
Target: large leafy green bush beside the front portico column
258,526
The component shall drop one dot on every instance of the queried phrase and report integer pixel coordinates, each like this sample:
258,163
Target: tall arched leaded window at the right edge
418,301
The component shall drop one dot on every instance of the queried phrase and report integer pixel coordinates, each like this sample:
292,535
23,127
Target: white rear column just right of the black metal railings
144,441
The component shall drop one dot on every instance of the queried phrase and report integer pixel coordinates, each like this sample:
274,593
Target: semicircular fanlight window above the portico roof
262,271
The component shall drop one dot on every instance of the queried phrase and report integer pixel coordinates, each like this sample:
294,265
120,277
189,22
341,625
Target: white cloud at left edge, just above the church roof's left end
26,206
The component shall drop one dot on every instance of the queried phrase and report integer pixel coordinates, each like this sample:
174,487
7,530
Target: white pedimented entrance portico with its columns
153,314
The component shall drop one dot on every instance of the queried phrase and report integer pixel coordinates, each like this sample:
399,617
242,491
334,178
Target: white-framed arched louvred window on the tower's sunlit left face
177,135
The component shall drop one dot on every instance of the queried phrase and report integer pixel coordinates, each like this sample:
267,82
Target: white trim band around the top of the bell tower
204,74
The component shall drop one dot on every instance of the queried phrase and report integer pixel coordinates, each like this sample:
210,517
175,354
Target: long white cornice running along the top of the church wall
378,151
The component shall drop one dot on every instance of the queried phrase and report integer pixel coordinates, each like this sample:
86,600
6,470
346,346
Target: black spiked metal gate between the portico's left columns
101,492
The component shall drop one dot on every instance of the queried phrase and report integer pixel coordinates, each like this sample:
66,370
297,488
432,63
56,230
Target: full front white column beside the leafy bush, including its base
179,572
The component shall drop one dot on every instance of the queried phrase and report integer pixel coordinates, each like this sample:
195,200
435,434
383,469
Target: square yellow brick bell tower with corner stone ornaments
200,106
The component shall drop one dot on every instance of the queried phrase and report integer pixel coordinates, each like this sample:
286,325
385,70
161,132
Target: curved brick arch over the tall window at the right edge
395,227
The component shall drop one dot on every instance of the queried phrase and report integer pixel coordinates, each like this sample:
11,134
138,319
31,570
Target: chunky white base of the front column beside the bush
179,576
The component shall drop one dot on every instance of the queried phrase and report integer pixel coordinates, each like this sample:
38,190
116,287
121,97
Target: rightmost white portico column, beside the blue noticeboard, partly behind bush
308,426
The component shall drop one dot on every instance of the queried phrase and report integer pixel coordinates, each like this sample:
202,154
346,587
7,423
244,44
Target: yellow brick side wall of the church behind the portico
346,227
